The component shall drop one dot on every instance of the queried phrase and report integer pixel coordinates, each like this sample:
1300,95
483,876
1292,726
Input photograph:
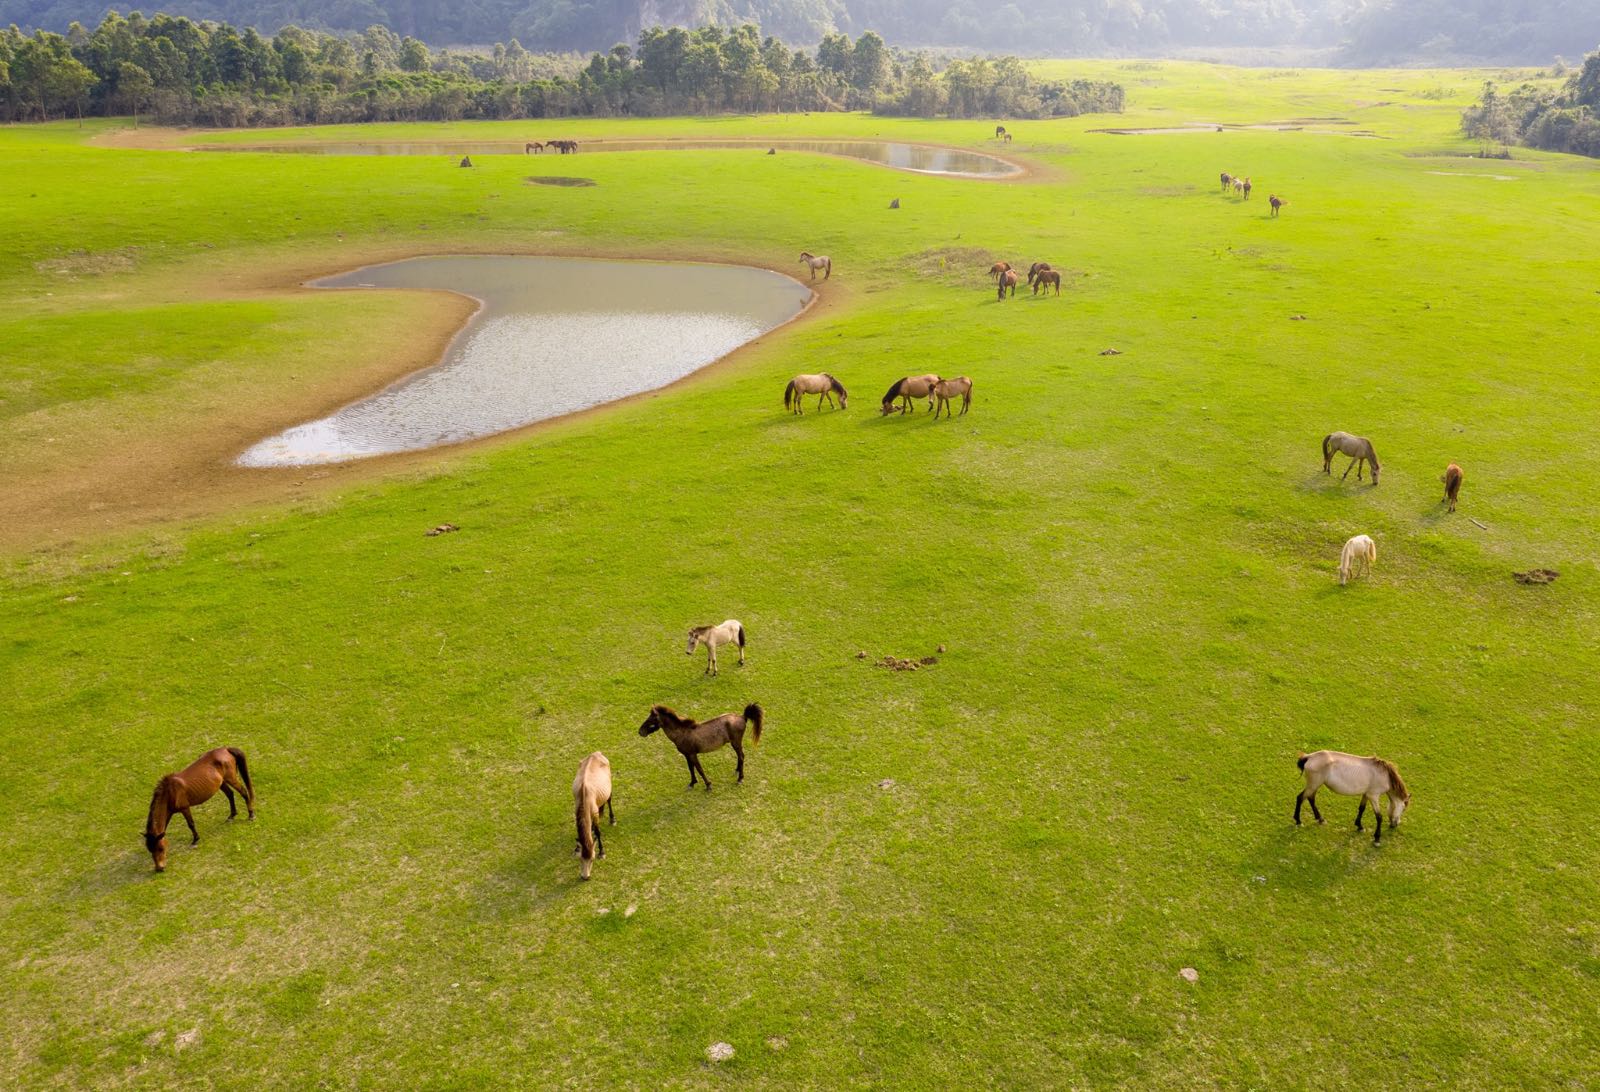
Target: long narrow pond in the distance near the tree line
922,159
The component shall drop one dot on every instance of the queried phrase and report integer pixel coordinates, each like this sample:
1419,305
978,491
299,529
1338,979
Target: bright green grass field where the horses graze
1129,558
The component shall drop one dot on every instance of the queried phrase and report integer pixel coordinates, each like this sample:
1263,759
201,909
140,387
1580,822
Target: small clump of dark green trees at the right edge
1561,121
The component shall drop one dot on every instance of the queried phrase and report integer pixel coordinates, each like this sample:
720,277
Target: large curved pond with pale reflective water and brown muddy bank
553,337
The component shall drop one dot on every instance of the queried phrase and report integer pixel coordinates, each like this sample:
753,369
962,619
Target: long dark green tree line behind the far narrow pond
186,73
